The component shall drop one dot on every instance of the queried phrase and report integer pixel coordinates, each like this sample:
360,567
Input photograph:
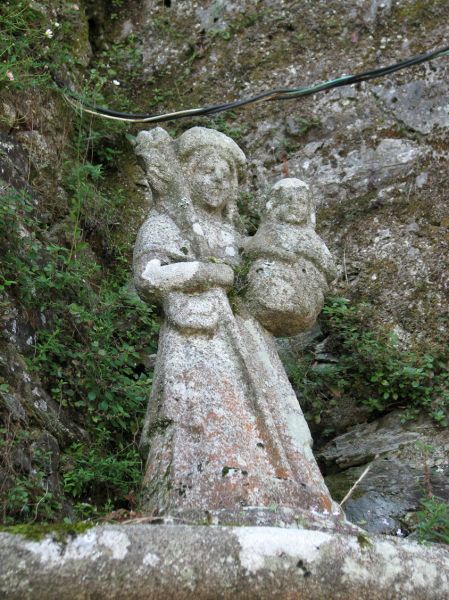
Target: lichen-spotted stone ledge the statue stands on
182,562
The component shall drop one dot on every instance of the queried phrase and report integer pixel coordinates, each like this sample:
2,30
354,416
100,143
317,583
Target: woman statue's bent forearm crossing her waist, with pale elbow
157,280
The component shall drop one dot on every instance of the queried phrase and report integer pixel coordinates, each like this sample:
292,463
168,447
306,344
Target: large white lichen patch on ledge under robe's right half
263,543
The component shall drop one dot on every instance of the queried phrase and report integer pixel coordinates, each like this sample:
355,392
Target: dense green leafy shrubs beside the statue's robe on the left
92,334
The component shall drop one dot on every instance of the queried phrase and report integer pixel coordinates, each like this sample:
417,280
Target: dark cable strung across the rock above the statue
269,95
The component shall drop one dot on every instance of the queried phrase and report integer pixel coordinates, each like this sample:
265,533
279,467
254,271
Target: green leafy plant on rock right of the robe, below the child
371,368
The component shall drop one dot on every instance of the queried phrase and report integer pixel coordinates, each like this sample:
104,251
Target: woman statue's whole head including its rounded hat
213,165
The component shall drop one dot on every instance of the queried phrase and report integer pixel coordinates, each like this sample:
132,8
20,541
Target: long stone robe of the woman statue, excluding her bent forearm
224,428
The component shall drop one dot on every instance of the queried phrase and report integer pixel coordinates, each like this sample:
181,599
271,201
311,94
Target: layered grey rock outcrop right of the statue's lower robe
407,462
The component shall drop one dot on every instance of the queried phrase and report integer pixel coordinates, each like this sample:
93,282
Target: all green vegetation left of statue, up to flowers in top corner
65,265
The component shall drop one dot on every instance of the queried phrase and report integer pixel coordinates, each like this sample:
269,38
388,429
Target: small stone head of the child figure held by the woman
290,201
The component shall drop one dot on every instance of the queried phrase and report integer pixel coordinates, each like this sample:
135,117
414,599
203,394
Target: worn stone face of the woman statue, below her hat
212,179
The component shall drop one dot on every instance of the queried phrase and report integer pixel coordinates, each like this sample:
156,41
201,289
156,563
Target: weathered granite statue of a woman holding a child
224,435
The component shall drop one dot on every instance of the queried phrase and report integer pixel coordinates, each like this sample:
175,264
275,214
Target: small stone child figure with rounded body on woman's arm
290,264
